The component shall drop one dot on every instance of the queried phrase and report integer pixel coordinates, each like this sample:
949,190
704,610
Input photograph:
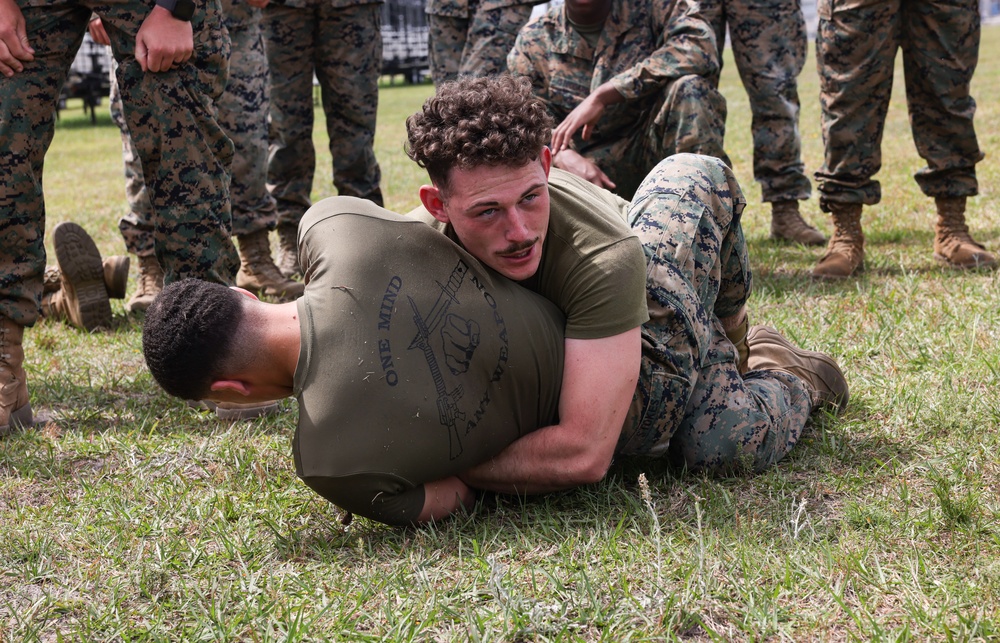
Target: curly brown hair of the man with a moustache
469,122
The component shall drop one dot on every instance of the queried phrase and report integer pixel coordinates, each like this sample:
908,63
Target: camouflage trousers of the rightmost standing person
855,50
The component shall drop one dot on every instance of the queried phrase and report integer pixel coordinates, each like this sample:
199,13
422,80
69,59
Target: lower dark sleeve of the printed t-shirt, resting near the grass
379,496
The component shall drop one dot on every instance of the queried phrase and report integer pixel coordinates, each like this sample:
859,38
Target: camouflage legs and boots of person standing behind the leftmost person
242,112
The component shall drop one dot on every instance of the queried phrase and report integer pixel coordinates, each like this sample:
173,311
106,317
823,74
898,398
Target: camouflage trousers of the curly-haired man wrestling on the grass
691,404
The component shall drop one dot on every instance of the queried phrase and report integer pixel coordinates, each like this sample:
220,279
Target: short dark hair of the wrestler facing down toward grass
188,335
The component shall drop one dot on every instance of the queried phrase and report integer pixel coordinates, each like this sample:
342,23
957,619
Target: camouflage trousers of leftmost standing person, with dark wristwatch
185,153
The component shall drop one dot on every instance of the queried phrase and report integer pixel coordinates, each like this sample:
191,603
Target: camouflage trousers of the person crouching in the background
690,117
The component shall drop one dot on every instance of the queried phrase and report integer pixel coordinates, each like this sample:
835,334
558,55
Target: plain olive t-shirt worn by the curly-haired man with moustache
593,266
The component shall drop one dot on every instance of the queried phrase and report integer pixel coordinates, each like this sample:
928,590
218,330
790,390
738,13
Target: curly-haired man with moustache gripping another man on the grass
654,294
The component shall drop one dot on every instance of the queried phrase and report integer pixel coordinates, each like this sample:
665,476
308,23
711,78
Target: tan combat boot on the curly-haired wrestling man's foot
769,351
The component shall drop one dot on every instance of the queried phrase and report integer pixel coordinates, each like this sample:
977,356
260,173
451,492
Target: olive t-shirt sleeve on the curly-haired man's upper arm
608,293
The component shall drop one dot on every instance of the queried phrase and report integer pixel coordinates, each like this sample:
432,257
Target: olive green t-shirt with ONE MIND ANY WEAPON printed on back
416,361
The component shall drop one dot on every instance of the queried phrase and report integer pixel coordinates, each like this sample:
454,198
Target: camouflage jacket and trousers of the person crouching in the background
660,56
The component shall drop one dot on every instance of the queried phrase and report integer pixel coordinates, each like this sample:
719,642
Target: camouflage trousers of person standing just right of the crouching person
769,44
